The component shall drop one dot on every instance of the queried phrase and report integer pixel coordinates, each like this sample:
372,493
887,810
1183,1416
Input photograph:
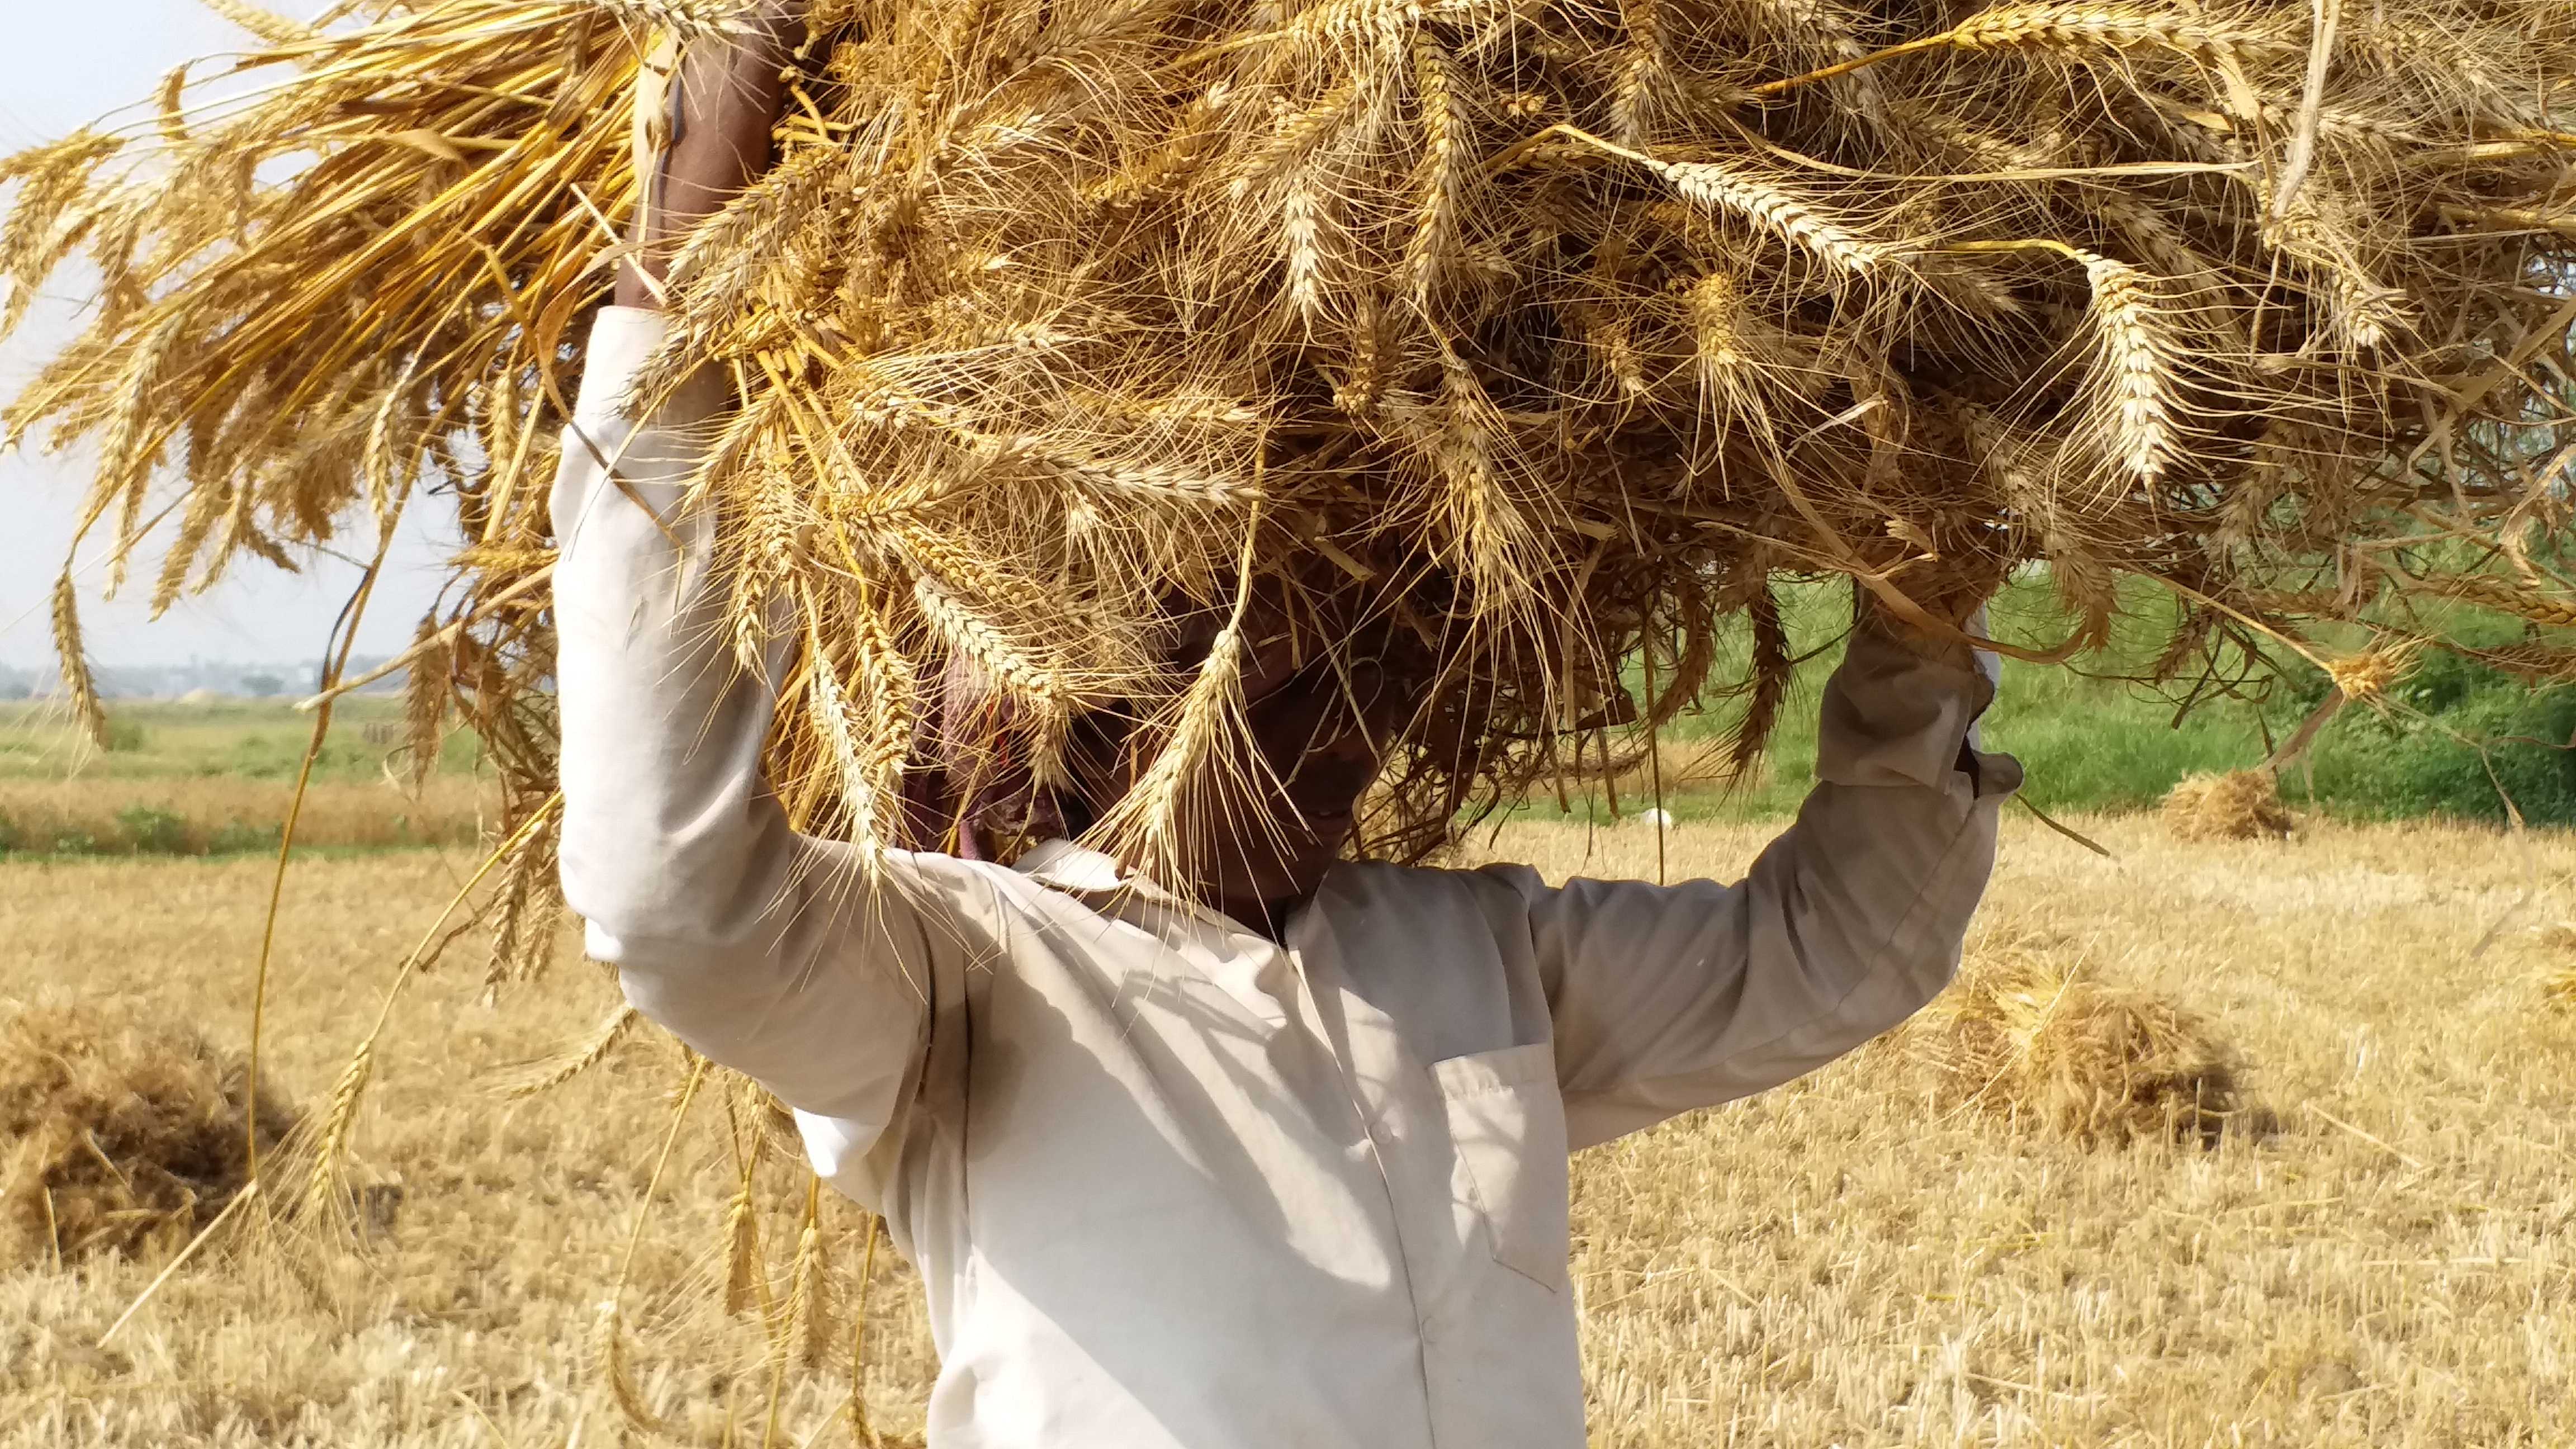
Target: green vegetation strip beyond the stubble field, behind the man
2454,741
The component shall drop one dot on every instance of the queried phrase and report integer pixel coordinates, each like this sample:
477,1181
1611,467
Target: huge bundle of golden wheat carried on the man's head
1544,334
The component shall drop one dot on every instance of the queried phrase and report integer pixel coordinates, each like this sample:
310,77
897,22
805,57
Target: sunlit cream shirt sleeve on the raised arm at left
764,950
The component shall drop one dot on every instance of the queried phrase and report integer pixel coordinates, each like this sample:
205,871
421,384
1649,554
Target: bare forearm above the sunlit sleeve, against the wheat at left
725,104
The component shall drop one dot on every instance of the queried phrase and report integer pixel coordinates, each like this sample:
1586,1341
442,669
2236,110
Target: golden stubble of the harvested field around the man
1846,1262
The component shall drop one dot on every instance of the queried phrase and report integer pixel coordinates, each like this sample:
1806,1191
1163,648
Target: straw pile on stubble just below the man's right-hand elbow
2031,1035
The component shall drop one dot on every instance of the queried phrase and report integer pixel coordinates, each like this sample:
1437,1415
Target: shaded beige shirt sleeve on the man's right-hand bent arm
1686,997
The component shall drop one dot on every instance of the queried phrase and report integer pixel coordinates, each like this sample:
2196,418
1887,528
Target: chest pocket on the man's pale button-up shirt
1508,1123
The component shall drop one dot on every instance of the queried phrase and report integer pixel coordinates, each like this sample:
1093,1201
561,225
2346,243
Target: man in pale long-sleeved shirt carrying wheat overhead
1284,1169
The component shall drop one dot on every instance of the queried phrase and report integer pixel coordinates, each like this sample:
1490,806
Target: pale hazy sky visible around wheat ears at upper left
63,66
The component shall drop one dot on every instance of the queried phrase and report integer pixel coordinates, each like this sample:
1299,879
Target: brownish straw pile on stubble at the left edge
117,1136
